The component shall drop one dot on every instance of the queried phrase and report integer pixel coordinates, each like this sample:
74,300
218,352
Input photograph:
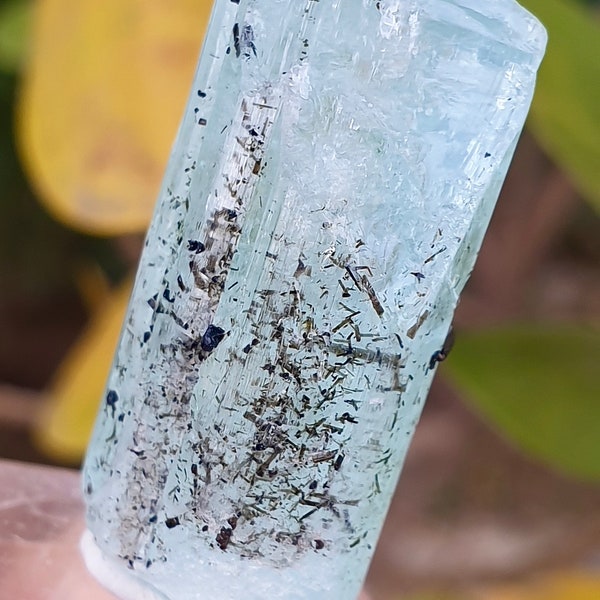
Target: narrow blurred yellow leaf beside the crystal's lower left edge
66,420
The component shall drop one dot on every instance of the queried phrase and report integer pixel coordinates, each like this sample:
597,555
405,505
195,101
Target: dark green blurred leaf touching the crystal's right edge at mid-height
539,386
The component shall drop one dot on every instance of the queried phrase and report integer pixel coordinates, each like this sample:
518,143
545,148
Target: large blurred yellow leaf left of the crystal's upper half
102,96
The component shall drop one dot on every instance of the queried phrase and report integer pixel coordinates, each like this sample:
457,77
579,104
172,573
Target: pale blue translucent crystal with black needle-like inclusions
332,180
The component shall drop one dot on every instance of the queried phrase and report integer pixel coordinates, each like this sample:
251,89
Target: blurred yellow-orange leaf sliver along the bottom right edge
568,585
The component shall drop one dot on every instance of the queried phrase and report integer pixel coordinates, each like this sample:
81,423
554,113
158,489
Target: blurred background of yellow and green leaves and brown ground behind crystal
500,496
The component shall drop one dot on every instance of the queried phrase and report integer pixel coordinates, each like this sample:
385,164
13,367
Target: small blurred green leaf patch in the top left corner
15,17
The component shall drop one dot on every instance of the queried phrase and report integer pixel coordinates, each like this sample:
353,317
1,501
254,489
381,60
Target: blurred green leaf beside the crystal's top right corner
565,115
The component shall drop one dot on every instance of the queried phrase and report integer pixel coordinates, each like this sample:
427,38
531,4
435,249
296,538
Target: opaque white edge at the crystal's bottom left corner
112,575
